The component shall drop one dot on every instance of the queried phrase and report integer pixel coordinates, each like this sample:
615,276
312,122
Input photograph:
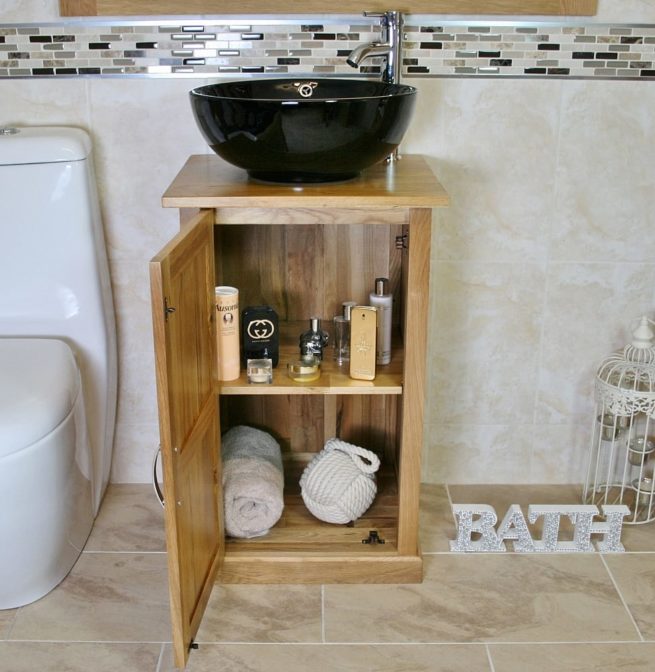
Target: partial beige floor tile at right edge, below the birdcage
635,577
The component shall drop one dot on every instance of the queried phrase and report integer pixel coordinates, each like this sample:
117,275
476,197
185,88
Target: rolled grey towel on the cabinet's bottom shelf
253,481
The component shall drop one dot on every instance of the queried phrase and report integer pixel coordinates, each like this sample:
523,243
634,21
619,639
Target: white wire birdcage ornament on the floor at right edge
621,468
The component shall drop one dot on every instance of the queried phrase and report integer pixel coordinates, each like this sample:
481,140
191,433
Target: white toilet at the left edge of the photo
57,358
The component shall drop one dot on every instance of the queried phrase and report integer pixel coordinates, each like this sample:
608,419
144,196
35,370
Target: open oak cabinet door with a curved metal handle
182,285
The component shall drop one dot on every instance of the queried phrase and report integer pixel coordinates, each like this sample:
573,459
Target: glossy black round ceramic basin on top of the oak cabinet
303,130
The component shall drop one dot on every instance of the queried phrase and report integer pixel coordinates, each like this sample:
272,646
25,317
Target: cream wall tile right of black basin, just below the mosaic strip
496,158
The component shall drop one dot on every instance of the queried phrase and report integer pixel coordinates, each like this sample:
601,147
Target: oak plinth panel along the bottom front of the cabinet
319,570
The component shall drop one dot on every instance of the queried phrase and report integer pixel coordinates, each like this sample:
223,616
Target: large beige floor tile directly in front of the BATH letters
490,597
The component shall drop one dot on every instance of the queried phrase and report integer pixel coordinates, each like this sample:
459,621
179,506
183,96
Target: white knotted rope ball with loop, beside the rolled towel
338,485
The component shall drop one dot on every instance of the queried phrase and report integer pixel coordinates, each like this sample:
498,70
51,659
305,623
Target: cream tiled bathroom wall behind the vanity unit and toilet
544,258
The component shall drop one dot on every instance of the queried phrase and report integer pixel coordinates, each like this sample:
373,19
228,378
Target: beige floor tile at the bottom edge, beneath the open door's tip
335,658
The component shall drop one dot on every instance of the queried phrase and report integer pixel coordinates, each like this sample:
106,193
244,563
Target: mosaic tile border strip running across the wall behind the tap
303,47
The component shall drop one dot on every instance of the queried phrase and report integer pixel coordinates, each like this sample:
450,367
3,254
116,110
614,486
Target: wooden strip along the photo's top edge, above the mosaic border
162,7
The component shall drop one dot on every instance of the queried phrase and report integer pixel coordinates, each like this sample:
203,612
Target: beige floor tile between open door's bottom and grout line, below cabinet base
238,613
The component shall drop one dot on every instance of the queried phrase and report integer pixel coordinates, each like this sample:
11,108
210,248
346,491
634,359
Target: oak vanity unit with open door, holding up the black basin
302,250
